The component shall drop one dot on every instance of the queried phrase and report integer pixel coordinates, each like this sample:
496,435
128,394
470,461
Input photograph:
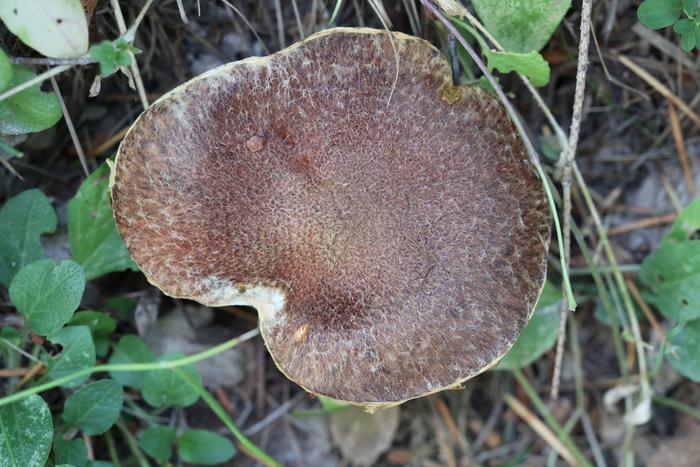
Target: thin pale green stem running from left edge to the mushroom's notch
155,366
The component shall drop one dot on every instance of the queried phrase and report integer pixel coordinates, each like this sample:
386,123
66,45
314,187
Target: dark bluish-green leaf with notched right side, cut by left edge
22,221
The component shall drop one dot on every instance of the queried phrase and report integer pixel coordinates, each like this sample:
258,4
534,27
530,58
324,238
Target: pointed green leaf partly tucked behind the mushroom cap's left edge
94,240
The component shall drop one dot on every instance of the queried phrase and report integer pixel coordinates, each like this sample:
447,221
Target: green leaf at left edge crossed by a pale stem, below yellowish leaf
30,110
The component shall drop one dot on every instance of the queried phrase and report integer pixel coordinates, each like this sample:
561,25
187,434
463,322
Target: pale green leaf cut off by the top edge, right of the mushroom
521,25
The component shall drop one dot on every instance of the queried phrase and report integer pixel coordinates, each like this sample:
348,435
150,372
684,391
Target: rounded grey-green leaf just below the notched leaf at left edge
47,294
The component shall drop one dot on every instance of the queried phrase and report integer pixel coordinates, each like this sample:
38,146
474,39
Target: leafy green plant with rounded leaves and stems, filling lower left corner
47,295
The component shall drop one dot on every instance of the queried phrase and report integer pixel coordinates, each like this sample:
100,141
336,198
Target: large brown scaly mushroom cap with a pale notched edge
393,246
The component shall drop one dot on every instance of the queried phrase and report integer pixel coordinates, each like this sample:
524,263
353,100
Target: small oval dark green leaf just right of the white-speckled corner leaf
95,407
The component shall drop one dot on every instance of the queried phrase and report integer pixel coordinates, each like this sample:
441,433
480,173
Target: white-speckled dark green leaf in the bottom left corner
26,431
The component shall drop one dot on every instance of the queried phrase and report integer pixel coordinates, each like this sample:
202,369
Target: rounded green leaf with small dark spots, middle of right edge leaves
673,273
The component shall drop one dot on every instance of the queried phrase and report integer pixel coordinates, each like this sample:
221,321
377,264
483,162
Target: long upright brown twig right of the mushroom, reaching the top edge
566,181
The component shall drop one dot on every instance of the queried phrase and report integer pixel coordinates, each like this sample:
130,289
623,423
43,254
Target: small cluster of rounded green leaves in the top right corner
683,15
